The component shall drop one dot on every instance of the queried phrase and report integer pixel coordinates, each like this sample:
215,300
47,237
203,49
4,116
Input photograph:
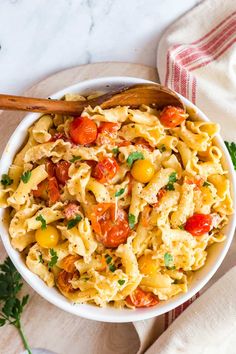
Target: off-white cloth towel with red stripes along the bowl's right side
197,58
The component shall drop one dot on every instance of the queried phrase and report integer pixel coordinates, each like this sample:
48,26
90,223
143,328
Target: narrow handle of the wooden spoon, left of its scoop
18,103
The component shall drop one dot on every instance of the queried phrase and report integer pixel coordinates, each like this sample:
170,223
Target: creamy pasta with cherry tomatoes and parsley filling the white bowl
119,206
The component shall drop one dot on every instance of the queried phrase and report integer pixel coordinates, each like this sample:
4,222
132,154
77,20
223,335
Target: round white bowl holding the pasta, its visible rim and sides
216,253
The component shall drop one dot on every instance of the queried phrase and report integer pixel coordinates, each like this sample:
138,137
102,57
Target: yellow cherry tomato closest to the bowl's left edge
48,237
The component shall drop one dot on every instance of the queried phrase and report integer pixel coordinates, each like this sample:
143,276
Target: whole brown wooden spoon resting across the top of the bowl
133,96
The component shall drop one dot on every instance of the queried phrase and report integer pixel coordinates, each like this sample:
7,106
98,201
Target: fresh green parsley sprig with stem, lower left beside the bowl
11,307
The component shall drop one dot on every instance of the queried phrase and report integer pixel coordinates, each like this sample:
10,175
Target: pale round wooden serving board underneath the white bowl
45,325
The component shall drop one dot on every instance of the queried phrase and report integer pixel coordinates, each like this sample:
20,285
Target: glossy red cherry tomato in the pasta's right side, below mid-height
199,224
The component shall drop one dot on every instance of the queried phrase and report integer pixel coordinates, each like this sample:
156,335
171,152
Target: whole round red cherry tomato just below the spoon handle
83,131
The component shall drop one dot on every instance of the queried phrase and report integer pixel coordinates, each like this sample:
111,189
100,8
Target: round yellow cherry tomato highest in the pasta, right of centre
143,171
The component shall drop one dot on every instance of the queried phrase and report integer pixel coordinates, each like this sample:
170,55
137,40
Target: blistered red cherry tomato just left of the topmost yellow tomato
106,169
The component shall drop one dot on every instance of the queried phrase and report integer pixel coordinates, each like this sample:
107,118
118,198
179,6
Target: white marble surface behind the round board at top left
40,37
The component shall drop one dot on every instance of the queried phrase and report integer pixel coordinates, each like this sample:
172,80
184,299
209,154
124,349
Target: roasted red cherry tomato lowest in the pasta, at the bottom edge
140,298
